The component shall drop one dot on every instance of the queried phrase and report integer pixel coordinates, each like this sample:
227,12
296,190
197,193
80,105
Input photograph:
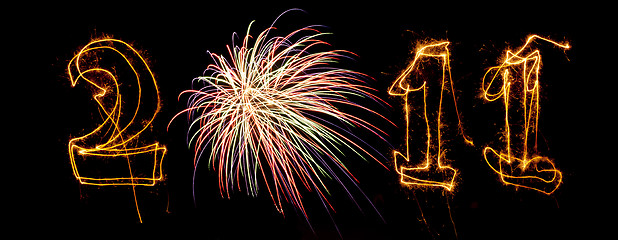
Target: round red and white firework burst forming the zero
270,111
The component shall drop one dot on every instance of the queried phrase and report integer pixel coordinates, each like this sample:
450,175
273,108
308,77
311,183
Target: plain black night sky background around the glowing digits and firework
175,38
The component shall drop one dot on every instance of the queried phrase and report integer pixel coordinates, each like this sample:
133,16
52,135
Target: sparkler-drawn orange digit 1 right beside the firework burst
427,173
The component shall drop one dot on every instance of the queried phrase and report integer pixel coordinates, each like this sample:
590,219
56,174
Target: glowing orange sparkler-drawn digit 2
117,139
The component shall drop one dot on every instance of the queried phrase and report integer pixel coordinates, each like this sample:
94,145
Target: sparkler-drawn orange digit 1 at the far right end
527,170
